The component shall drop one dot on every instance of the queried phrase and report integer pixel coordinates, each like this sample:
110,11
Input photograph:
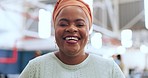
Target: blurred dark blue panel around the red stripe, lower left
15,68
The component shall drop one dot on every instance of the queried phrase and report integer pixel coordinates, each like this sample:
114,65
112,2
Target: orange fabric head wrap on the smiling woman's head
63,3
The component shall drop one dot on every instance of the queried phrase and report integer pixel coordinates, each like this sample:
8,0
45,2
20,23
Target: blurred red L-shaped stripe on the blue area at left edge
12,59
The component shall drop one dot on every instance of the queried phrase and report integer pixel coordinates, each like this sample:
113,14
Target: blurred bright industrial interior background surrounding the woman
119,32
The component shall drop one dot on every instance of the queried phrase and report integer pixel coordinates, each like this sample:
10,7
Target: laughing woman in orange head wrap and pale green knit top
72,20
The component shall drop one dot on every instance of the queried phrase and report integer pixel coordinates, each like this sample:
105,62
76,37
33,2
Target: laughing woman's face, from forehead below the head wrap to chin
71,30
